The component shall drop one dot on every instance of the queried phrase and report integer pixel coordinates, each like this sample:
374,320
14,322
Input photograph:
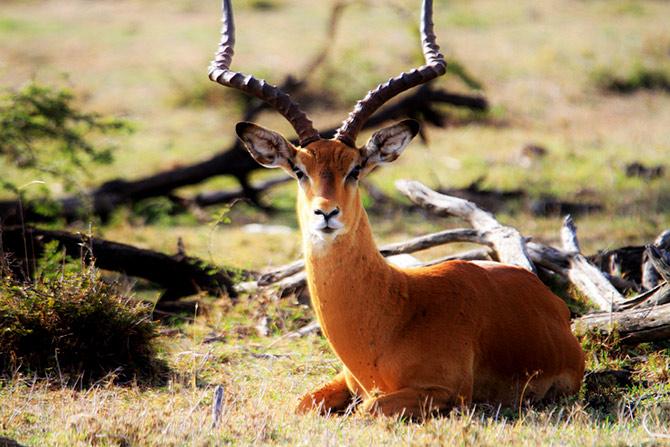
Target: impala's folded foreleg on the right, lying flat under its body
415,403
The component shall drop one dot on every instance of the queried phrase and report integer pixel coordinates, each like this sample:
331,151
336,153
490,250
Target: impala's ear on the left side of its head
267,147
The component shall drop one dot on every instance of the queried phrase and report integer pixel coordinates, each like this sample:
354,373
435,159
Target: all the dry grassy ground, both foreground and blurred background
541,64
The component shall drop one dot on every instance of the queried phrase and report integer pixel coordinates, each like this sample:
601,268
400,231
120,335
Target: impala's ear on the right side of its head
387,144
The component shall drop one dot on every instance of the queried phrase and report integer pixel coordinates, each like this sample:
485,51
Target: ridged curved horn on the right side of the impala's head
435,66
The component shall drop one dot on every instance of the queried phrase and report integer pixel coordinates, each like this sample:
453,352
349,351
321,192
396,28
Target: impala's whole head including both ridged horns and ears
328,171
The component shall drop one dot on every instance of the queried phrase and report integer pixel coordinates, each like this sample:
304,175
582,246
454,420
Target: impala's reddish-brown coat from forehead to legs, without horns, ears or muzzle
440,336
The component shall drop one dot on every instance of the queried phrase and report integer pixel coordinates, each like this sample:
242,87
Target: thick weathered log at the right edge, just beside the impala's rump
634,326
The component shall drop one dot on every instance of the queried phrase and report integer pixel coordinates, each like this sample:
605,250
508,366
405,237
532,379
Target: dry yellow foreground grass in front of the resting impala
262,379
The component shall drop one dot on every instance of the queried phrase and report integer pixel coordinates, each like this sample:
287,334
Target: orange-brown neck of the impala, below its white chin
349,283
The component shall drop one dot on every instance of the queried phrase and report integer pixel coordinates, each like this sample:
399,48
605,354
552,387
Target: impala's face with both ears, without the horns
327,171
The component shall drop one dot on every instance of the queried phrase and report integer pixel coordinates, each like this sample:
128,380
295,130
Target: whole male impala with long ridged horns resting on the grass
412,338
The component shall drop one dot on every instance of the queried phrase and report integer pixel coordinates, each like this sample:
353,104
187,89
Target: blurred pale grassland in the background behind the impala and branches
586,80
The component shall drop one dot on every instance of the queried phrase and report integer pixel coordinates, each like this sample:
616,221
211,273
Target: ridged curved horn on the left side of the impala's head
219,71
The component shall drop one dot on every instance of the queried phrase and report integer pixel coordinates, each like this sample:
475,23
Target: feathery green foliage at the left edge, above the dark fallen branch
42,130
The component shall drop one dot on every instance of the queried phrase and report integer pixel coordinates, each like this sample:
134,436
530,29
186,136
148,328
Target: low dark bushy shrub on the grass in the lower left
74,326
